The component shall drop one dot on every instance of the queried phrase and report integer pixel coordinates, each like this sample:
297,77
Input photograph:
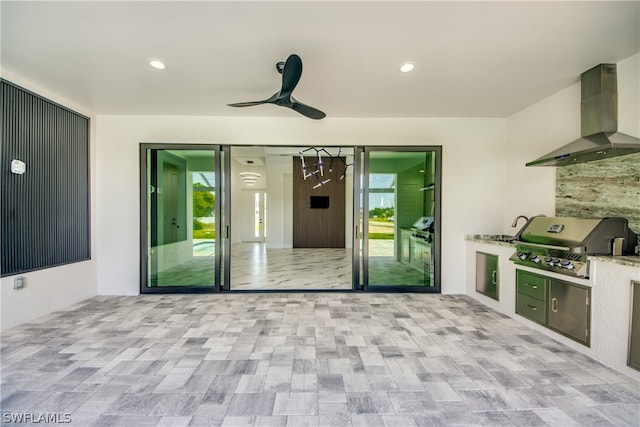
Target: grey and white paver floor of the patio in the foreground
303,359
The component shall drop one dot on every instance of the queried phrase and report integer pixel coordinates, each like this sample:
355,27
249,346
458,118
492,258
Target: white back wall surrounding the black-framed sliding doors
474,174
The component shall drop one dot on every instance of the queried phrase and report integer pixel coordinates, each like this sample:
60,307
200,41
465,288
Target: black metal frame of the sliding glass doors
360,261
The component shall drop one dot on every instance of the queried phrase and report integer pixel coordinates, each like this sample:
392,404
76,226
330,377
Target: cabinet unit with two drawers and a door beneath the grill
561,306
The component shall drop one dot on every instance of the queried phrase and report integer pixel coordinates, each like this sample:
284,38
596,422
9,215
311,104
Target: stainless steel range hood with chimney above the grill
598,121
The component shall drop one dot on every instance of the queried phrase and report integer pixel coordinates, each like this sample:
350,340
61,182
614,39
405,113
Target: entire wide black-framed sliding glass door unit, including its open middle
386,198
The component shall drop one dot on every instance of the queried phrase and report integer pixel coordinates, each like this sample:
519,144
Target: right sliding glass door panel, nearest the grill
399,219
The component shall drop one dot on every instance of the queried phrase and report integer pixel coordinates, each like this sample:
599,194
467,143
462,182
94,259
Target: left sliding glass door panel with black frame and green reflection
184,231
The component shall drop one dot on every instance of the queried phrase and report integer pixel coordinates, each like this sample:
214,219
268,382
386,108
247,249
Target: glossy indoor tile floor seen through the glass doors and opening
254,267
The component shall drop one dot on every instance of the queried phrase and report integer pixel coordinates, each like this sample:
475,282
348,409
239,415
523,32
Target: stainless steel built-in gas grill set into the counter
563,244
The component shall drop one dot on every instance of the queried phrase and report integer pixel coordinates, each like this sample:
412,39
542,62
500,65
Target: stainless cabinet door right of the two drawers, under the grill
569,310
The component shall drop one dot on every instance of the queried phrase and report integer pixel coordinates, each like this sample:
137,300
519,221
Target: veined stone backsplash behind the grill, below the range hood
609,187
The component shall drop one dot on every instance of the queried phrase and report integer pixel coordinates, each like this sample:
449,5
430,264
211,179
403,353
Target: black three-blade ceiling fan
291,71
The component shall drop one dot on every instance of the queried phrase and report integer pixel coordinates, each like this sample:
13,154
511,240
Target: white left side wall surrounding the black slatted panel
51,289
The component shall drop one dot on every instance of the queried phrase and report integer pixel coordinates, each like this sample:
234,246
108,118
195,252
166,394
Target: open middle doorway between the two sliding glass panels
266,219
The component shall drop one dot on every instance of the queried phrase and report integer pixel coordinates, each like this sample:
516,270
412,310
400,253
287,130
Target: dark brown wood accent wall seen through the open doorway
318,228
